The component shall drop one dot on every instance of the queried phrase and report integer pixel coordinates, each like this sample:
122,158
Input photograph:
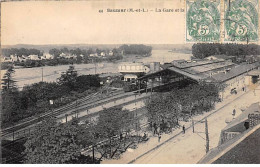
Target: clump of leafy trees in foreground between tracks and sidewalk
53,143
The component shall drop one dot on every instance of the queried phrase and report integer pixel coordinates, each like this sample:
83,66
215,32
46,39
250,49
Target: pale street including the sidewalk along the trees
188,148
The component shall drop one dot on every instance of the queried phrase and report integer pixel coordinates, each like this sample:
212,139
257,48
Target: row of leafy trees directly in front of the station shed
165,109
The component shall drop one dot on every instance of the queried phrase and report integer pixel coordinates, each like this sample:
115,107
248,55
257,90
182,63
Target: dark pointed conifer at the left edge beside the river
8,82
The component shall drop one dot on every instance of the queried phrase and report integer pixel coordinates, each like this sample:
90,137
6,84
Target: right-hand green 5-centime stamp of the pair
241,20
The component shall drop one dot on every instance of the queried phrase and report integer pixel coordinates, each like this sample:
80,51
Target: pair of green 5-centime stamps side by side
222,20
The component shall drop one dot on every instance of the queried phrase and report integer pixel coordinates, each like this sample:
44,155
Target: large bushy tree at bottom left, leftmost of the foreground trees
53,143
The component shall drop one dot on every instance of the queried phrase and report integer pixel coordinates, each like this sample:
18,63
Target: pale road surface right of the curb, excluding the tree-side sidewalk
189,148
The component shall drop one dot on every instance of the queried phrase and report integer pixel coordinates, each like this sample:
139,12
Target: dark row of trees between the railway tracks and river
34,99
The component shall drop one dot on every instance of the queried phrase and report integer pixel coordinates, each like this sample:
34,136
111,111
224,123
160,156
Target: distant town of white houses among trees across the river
35,58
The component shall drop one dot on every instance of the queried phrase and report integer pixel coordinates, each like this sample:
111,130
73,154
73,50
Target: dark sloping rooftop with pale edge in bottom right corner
242,149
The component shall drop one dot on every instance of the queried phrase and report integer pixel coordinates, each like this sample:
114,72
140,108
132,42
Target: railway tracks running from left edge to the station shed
95,101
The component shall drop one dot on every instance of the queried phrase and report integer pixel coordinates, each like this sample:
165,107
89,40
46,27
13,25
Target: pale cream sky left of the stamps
80,22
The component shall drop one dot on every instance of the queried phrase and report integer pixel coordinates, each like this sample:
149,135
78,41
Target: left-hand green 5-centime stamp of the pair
203,20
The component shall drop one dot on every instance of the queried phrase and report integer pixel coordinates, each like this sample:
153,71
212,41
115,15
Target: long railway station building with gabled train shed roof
232,76
